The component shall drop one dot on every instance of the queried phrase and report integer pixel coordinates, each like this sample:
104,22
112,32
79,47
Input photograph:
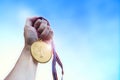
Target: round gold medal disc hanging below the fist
41,51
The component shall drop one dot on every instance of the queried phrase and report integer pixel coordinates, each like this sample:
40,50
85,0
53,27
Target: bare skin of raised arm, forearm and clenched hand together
25,67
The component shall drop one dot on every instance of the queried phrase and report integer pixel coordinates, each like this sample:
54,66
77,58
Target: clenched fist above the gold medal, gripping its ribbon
37,28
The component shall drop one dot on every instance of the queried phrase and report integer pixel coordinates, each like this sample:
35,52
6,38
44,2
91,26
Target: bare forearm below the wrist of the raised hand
25,68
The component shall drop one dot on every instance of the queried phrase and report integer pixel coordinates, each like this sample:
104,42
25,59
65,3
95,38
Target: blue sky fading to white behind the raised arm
86,34
